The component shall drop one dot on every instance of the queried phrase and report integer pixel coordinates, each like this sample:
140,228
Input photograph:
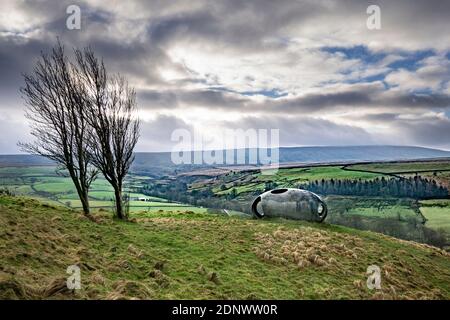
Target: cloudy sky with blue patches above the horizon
310,68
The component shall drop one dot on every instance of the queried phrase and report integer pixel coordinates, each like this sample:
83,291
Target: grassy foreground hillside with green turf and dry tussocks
190,255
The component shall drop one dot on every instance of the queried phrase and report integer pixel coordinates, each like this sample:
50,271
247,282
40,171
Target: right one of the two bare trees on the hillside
115,127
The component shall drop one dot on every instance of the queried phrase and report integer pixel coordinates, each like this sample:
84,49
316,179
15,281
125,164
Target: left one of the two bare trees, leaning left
56,107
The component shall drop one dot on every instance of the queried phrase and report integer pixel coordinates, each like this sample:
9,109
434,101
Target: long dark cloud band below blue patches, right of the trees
364,97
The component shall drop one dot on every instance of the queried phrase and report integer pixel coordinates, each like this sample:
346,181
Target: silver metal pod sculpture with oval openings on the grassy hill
290,203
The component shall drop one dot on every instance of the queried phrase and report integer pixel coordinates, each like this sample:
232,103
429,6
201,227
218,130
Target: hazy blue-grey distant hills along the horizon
159,163
